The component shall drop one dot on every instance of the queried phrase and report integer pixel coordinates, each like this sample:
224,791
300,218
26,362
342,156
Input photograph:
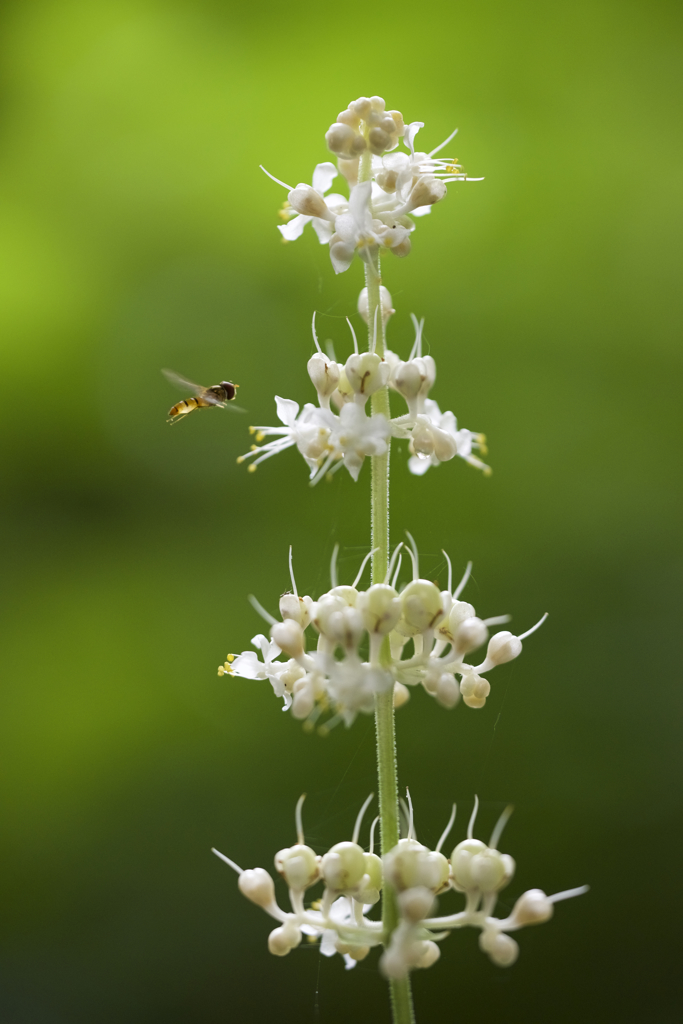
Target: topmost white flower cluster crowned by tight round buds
393,186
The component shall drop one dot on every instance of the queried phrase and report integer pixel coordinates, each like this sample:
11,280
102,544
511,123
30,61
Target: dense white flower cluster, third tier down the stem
351,664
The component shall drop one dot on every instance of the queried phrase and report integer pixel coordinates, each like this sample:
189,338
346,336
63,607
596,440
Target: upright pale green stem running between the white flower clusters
386,734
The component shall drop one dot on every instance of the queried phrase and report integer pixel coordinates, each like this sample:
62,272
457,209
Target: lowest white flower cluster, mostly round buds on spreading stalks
354,880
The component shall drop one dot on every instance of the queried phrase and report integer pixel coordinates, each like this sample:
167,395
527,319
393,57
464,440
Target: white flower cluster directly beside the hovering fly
328,440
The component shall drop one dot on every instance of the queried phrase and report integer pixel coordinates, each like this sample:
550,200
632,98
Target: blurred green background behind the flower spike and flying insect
140,233
